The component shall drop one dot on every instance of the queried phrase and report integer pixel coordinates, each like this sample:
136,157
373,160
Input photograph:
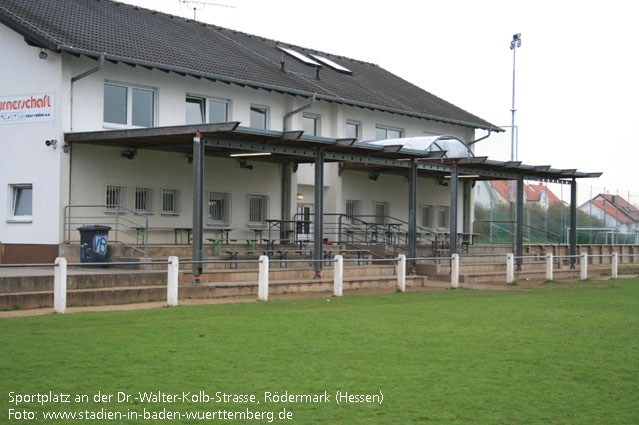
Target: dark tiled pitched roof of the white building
134,34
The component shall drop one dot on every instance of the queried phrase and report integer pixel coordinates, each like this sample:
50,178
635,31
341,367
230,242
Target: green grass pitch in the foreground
545,356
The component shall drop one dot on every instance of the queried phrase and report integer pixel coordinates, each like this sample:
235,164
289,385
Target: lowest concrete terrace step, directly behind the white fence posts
121,295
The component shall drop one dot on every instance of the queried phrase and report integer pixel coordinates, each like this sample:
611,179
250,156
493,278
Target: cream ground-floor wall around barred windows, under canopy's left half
94,167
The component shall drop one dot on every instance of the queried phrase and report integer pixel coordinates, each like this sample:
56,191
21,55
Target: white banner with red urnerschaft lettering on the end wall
28,108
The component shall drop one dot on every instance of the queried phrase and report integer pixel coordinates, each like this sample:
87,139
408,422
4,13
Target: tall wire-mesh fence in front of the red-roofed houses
605,215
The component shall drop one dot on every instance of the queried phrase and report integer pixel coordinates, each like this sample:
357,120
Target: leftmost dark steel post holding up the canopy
198,205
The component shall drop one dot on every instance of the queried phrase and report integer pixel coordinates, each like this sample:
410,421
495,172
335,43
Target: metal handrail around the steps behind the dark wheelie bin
115,217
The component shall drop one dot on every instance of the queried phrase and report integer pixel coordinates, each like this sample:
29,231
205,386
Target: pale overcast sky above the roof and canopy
577,87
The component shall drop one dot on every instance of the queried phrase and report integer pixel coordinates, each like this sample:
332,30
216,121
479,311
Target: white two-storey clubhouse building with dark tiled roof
80,75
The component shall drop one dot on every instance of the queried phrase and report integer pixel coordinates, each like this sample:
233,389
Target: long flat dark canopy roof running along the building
227,139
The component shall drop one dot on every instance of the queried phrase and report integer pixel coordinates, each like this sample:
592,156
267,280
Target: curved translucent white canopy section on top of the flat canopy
450,145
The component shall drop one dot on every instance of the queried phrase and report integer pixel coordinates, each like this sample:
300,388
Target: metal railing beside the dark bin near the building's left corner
126,224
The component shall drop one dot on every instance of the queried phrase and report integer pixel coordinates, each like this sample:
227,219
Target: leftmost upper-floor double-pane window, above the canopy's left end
127,105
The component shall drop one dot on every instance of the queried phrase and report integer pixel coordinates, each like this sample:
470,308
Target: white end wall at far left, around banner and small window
24,158
